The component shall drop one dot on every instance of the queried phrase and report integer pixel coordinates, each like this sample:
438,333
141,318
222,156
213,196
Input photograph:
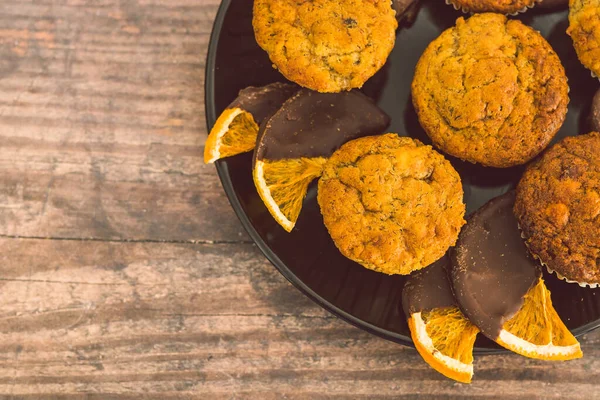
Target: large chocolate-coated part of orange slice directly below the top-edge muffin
312,124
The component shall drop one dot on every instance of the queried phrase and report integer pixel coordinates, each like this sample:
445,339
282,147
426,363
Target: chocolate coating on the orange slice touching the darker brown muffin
491,268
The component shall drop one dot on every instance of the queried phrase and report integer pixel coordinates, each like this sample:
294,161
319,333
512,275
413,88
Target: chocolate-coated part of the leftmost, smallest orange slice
264,101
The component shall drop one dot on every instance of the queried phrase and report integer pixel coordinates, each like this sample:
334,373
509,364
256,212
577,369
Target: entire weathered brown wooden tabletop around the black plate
125,273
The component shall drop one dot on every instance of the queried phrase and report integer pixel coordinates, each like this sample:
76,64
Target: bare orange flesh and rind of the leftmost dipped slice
234,133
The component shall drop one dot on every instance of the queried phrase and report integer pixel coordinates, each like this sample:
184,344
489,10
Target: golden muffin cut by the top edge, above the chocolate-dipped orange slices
326,45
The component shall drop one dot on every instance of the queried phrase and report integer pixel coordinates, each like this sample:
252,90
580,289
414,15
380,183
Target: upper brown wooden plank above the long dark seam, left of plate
102,115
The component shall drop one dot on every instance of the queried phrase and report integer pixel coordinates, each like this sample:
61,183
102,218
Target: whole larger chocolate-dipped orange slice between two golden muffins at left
295,142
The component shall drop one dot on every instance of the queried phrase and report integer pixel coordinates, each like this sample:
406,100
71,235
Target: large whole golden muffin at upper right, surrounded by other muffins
490,91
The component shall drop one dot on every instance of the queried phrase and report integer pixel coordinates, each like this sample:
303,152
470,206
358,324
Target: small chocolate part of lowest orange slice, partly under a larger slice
428,289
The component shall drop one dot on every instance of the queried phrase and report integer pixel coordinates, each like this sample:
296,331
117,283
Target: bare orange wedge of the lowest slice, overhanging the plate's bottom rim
444,337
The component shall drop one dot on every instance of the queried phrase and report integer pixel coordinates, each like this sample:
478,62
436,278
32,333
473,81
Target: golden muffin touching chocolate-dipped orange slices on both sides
391,203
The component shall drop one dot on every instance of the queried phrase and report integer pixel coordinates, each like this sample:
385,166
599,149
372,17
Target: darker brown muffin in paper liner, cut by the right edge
558,208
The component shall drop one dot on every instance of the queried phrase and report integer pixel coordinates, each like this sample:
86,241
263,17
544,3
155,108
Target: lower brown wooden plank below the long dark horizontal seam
214,321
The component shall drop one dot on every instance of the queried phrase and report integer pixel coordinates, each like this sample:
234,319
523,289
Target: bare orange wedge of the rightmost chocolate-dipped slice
536,331
